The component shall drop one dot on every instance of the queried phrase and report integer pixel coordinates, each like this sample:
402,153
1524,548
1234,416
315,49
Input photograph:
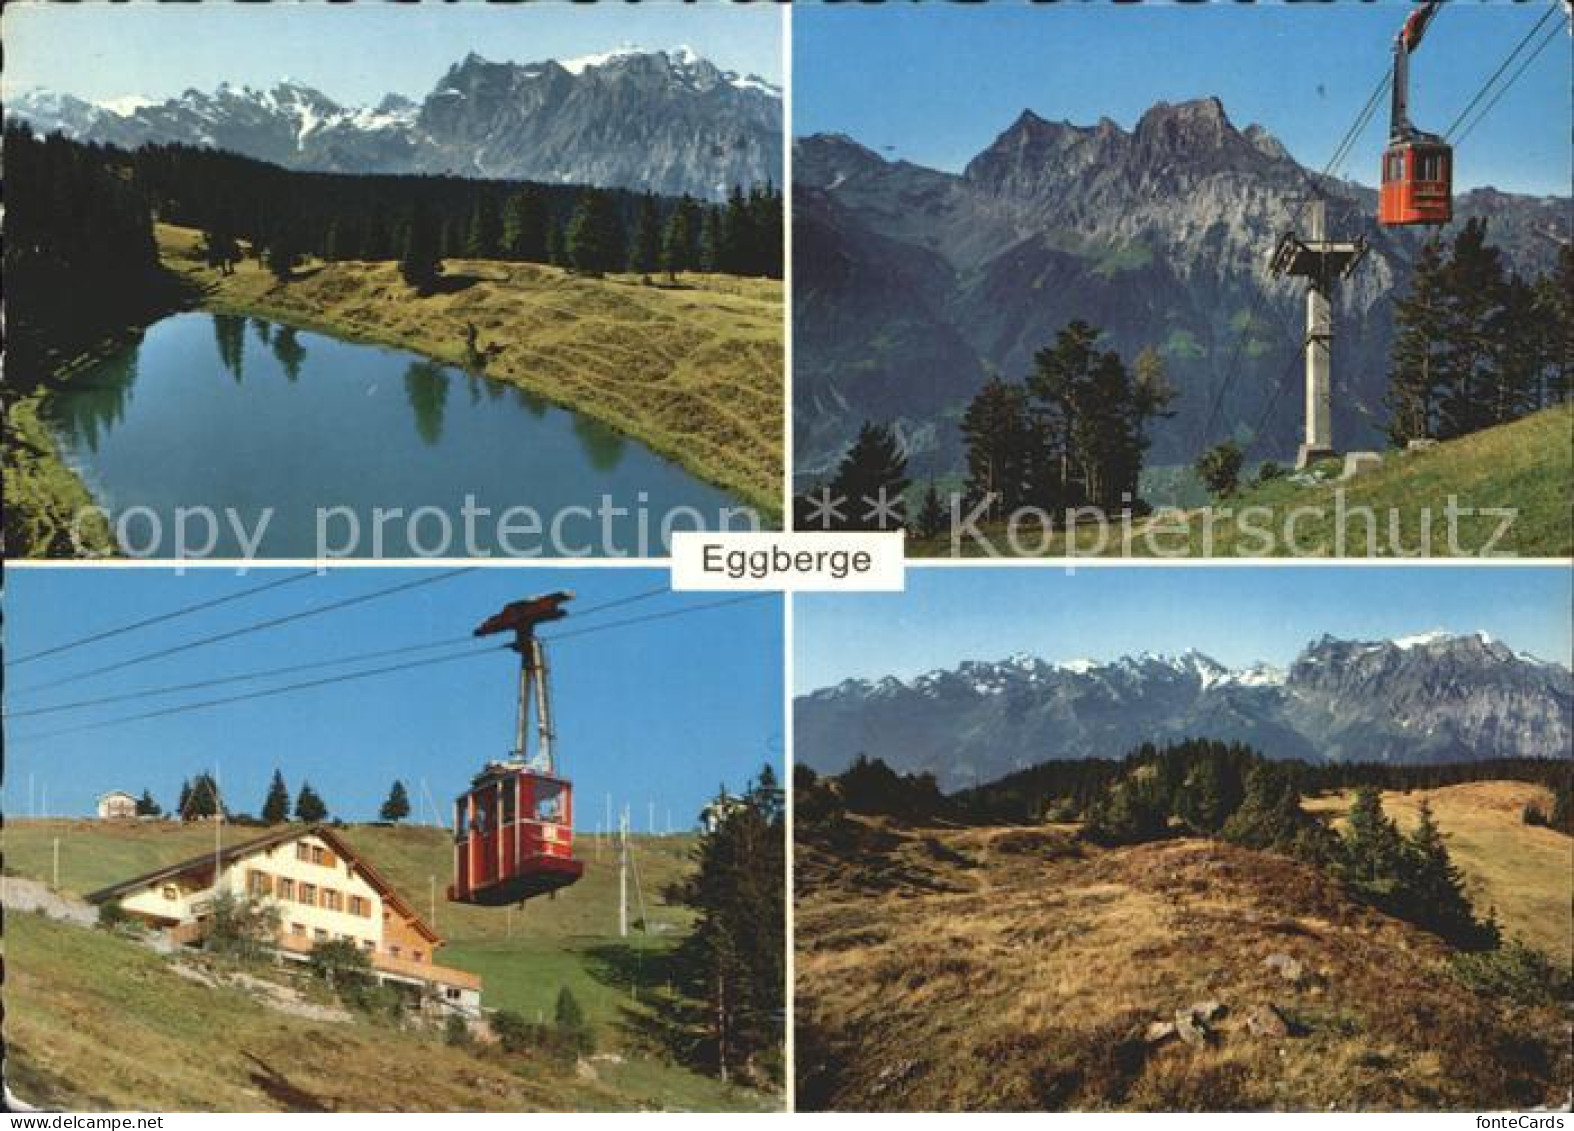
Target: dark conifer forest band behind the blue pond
81,259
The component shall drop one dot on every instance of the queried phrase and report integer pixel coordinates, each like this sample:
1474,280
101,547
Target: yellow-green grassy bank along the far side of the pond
693,370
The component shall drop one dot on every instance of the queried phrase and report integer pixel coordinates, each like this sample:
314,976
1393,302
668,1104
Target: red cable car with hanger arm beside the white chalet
514,828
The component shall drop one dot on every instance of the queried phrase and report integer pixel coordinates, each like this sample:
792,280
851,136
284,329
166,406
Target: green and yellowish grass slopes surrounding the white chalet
72,993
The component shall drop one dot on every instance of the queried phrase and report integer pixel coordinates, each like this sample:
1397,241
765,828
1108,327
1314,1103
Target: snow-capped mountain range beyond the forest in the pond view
670,122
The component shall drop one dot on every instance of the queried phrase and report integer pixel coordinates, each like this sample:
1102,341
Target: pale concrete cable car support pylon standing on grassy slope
1321,263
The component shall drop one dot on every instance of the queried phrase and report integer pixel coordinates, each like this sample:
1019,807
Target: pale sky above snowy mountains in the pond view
357,53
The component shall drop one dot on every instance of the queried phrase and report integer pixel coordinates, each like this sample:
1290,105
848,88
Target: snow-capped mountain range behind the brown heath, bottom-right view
1430,698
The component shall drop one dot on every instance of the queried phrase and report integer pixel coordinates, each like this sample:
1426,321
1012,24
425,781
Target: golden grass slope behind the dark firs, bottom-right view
1523,872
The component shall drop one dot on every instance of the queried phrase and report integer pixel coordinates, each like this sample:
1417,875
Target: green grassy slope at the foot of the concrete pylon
1528,466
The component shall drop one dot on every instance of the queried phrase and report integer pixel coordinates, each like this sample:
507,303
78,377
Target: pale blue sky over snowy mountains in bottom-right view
1236,616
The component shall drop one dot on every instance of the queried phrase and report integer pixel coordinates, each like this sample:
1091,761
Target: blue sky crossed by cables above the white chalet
660,713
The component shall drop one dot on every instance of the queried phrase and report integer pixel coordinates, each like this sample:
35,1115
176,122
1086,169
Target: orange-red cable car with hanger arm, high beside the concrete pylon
1417,168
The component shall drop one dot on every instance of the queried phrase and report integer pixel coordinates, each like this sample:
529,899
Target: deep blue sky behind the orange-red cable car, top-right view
936,84
